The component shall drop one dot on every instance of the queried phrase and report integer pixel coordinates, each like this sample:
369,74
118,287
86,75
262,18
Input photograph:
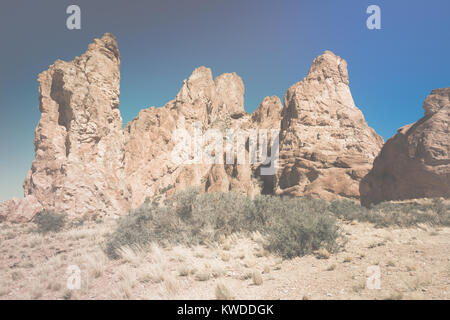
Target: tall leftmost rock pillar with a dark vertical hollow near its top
79,143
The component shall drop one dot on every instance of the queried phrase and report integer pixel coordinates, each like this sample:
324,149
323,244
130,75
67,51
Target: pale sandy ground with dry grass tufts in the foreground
414,263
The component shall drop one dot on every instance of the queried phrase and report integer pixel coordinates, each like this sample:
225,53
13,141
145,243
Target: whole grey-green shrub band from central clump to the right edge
289,227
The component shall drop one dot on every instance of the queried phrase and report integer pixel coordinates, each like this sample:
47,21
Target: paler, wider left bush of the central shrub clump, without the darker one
188,218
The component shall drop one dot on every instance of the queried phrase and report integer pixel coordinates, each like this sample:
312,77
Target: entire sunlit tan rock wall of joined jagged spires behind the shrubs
86,164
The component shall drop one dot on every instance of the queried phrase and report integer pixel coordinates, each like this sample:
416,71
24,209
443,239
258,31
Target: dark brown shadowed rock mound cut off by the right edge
415,163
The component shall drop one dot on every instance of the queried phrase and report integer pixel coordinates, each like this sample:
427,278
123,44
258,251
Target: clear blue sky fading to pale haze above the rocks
270,44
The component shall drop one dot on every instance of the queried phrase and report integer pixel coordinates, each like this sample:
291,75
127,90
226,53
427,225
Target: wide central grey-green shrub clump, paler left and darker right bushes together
293,226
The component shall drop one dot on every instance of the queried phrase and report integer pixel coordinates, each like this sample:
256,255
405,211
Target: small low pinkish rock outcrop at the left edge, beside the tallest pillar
19,210
